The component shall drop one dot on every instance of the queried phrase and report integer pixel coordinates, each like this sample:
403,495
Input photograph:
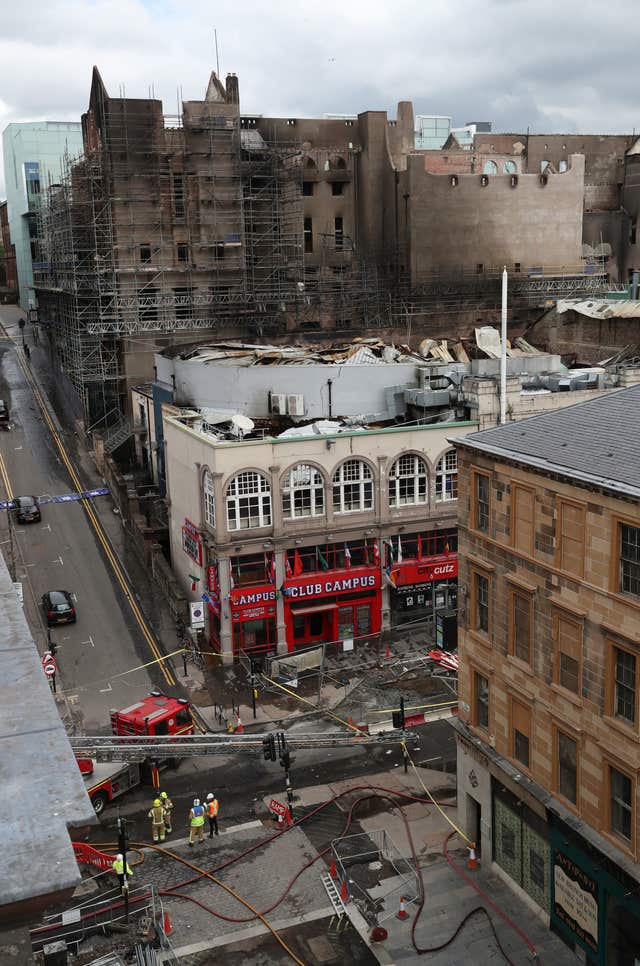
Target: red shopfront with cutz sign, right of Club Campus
423,589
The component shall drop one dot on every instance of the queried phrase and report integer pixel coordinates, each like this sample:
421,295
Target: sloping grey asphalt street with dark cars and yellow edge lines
65,552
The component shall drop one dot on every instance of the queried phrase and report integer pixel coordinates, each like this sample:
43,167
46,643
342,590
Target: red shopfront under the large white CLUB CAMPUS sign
332,606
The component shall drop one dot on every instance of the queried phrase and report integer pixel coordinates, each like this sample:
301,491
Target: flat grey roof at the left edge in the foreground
37,769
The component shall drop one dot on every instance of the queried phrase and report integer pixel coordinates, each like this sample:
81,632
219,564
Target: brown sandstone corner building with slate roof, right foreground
549,730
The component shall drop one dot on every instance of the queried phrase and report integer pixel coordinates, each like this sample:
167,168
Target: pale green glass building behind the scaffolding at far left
33,157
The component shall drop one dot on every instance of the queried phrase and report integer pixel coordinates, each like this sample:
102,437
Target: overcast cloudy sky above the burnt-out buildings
564,67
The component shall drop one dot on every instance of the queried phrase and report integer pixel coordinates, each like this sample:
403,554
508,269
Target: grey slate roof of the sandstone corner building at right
597,441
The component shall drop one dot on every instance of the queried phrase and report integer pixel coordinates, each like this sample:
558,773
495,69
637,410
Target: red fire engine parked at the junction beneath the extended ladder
154,715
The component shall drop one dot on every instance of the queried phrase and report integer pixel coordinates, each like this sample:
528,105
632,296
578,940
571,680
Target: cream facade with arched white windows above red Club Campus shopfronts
308,539
